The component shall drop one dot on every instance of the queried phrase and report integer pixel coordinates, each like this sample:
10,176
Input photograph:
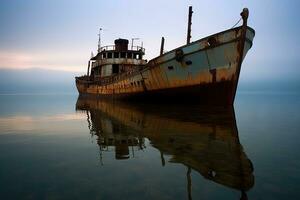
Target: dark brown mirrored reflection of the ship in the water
206,141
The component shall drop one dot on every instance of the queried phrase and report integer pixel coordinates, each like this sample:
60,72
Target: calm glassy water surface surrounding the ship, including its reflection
65,147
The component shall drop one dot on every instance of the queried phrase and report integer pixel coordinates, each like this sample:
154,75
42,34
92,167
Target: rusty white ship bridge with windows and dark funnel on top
116,59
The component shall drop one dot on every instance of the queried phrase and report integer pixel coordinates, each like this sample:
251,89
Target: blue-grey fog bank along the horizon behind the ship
53,81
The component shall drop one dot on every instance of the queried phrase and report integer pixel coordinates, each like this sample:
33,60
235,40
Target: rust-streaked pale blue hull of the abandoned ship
205,71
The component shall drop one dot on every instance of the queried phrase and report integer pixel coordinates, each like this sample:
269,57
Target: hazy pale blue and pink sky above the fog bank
60,34
